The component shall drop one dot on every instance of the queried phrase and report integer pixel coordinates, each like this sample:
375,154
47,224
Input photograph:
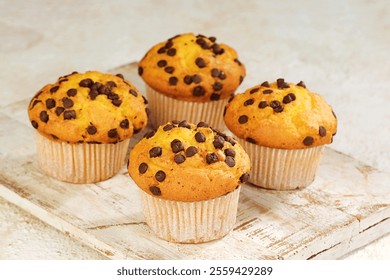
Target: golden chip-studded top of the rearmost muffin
192,68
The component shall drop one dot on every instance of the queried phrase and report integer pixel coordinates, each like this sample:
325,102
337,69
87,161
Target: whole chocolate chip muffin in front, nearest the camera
190,178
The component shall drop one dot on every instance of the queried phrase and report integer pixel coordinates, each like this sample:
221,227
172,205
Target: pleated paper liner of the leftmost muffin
80,162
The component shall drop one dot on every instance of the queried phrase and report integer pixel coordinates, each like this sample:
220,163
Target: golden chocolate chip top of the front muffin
186,162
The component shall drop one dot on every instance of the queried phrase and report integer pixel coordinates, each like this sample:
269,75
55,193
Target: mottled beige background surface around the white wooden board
339,48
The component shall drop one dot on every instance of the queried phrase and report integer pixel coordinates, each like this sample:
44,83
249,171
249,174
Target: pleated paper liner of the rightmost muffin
282,169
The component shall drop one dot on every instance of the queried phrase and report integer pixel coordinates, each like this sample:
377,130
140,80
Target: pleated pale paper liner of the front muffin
191,222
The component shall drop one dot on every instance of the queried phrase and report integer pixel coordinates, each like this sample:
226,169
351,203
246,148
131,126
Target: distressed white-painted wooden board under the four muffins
346,207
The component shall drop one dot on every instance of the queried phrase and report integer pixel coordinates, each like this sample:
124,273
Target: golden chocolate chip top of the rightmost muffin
281,115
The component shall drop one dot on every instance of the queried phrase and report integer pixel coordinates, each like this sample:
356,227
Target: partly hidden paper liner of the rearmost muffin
165,109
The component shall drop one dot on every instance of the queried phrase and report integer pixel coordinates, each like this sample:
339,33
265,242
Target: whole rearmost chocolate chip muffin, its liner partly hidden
190,77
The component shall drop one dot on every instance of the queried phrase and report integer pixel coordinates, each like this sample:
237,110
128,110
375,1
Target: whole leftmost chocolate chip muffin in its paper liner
83,124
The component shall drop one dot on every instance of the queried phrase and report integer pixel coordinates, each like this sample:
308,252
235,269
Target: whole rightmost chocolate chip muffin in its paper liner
284,129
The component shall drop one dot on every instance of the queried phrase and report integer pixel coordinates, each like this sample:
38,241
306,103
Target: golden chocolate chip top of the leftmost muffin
92,107
